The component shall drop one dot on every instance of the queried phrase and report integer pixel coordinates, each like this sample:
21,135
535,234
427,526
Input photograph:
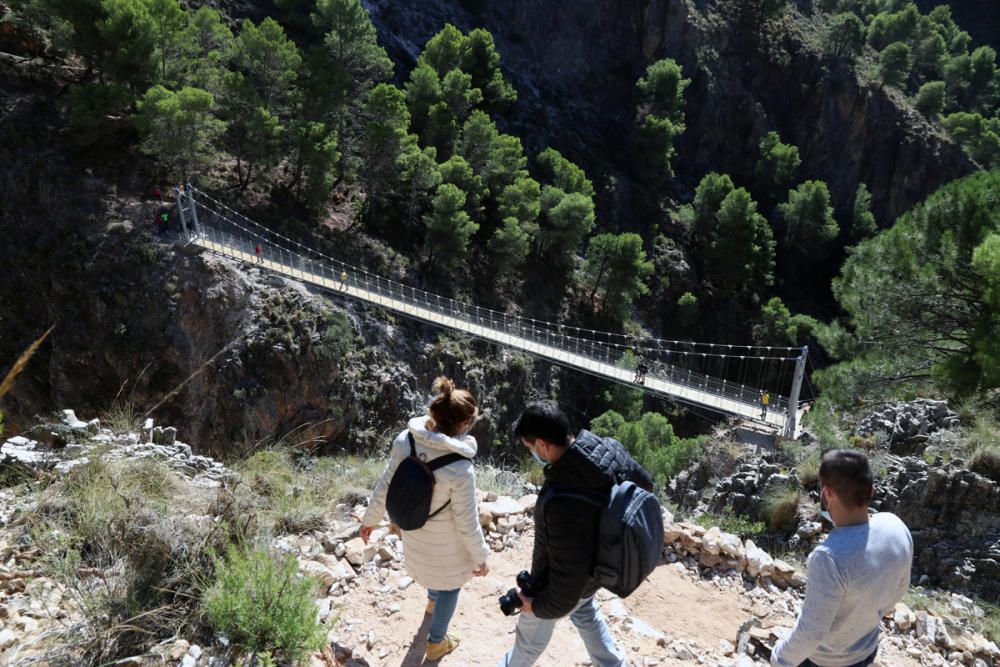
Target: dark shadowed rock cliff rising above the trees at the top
575,65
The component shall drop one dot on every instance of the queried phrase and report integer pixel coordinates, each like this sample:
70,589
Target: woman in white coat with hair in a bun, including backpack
429,491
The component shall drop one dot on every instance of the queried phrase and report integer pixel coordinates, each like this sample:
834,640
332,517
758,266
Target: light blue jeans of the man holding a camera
533,635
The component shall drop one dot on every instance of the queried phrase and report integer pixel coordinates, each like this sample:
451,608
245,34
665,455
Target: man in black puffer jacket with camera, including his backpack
585,478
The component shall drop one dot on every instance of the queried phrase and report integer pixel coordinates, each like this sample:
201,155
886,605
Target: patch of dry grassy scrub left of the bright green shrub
131,544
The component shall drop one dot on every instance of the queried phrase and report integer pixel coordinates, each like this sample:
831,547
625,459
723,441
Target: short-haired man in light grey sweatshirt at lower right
857,575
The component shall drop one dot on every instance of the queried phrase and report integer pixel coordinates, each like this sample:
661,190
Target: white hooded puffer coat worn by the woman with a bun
441,554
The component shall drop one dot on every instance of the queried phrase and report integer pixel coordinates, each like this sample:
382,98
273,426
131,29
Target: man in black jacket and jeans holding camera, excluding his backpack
566,537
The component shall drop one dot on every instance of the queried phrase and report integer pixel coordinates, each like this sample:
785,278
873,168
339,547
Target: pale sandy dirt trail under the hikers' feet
671,606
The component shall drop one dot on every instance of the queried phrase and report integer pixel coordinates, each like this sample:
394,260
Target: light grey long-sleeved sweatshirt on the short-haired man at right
854,577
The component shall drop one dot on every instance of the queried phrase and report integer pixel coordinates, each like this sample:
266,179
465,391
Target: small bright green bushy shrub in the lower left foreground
264,603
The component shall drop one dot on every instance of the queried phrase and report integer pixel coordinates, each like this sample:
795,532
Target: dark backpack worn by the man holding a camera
629,536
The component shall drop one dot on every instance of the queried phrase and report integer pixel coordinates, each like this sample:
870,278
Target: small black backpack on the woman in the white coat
408,500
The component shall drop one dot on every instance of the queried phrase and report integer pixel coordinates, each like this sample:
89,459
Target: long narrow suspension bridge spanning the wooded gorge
737,380
